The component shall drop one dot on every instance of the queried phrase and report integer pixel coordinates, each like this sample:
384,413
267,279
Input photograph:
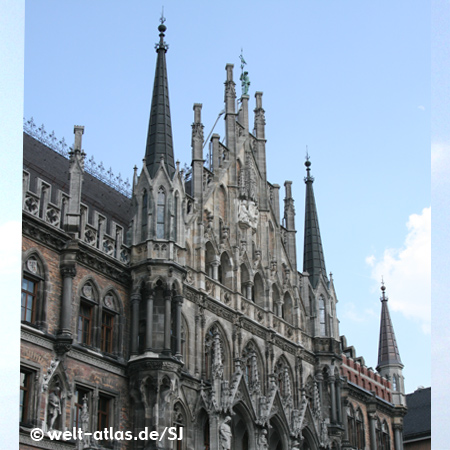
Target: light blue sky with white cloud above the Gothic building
350,80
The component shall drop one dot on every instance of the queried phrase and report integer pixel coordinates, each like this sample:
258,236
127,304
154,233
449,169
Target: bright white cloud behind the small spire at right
407,271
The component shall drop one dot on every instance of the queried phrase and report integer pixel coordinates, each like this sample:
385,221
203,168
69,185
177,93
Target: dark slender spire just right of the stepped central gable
313,259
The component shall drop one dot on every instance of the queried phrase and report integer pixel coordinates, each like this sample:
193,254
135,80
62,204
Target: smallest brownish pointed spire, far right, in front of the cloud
387,350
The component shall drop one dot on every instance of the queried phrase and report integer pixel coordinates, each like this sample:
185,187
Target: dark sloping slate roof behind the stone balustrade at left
43,162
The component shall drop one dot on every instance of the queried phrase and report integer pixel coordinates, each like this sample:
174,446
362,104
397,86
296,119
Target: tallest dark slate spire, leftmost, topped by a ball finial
159,137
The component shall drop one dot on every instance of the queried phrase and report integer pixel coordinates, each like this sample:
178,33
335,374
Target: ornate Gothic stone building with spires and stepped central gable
181,305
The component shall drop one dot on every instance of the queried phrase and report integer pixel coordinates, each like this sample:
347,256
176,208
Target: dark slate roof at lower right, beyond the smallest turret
417,422
